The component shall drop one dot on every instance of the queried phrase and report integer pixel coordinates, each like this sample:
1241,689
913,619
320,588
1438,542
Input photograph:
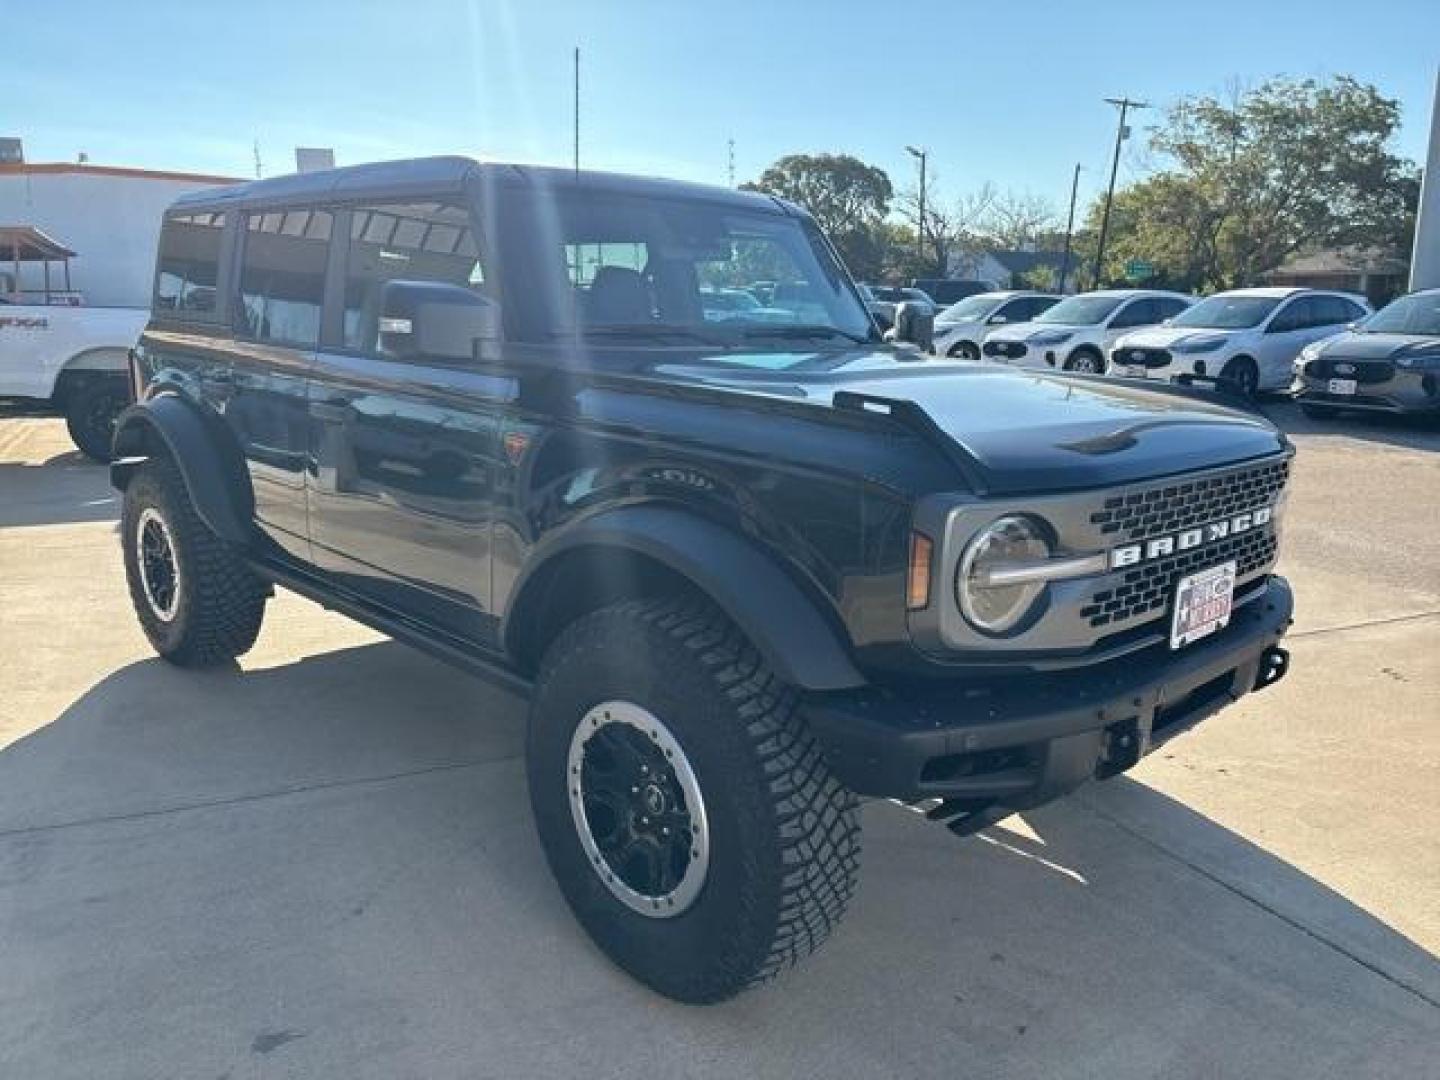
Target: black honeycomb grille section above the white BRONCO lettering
1174,508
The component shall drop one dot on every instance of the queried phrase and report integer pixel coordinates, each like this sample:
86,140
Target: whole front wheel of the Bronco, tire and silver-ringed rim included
685,807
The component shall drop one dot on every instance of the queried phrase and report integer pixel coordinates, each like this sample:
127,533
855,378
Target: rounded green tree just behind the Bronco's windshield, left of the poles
847,198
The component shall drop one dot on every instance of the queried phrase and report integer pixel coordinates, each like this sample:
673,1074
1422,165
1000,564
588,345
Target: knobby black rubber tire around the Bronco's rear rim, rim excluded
221,603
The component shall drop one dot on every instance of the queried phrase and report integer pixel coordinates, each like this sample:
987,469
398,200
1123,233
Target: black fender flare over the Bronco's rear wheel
211,464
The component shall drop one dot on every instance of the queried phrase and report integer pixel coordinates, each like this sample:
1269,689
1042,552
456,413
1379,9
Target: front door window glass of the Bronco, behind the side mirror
404,243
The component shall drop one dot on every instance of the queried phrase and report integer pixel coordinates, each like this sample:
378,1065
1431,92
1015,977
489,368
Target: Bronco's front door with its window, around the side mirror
405,450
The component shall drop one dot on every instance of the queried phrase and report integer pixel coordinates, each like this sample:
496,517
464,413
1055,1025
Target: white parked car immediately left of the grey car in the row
1248,336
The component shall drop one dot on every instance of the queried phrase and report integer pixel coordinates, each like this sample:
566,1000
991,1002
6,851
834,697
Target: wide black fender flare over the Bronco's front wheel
781,618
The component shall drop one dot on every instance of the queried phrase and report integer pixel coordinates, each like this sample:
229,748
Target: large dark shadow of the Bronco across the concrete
332,862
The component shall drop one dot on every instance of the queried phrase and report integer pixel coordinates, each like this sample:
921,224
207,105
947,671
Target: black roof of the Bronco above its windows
428,176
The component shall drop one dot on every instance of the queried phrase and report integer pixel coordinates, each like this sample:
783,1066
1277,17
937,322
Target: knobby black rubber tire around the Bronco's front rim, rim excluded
784,833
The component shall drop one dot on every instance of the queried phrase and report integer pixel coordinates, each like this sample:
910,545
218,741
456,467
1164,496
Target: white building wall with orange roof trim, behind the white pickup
112,222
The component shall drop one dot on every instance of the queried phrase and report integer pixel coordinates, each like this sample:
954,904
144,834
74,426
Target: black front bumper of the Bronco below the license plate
1017,742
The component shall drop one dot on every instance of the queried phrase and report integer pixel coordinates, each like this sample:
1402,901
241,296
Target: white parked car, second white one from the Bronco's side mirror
1079,332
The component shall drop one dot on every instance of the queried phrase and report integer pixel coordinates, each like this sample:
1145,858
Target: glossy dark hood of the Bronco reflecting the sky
1022,431
